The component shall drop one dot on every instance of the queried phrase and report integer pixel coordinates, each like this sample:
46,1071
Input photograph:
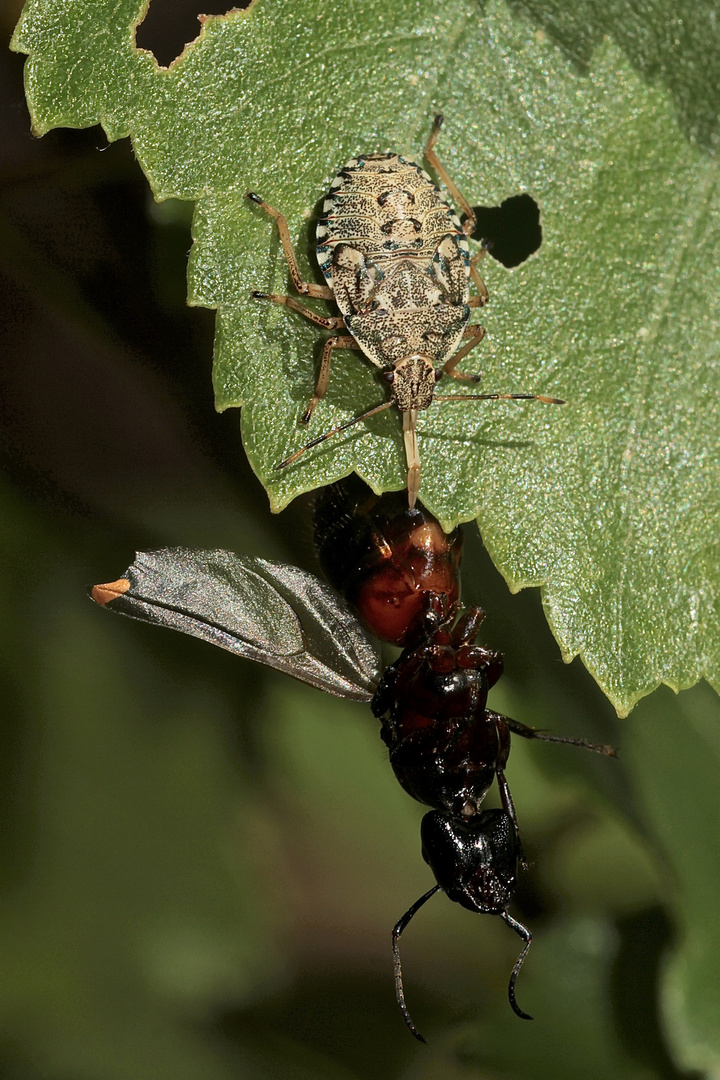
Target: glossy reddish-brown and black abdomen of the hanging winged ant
387,560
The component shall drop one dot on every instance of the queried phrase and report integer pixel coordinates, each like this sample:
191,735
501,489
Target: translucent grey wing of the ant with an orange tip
270,613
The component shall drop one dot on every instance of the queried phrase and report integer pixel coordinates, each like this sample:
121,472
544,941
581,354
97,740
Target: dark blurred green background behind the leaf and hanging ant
202,861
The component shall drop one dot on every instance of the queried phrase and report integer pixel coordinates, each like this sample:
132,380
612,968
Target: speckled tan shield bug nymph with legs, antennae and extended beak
398,264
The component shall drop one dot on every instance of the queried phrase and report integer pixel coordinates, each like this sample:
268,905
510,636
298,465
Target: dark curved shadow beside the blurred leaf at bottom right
645,939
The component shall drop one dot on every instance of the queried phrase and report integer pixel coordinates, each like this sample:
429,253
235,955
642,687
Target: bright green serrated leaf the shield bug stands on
610,505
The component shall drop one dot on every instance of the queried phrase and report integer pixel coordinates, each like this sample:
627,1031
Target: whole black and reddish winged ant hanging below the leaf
401,573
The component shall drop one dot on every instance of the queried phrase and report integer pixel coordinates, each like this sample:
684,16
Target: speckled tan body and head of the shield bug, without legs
398,261
